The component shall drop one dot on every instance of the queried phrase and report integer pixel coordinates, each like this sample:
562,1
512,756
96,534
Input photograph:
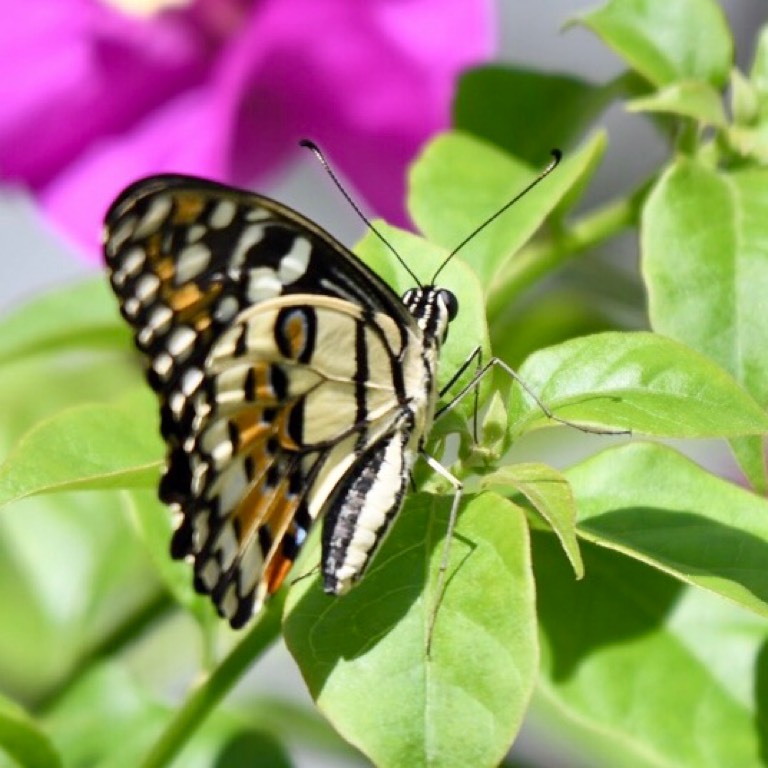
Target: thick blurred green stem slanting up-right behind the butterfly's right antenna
538,259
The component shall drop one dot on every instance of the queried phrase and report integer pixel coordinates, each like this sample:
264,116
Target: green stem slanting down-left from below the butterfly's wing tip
187,720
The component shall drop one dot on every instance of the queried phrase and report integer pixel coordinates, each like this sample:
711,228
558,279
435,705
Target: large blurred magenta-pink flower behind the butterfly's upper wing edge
93,98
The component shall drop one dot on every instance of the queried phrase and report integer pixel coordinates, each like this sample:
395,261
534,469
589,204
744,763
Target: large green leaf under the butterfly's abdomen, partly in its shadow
464,704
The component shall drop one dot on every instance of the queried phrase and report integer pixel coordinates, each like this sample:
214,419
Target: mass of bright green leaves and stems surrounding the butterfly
625,595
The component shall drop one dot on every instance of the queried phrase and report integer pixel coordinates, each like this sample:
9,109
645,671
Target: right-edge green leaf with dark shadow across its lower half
648,501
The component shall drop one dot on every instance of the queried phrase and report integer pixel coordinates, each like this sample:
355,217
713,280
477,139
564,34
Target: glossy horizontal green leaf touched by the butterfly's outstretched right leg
637,381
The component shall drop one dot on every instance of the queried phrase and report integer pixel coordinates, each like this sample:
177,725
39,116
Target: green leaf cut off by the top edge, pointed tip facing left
667,42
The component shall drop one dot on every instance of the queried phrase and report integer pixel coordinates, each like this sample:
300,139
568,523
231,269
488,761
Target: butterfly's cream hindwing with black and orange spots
265,461
